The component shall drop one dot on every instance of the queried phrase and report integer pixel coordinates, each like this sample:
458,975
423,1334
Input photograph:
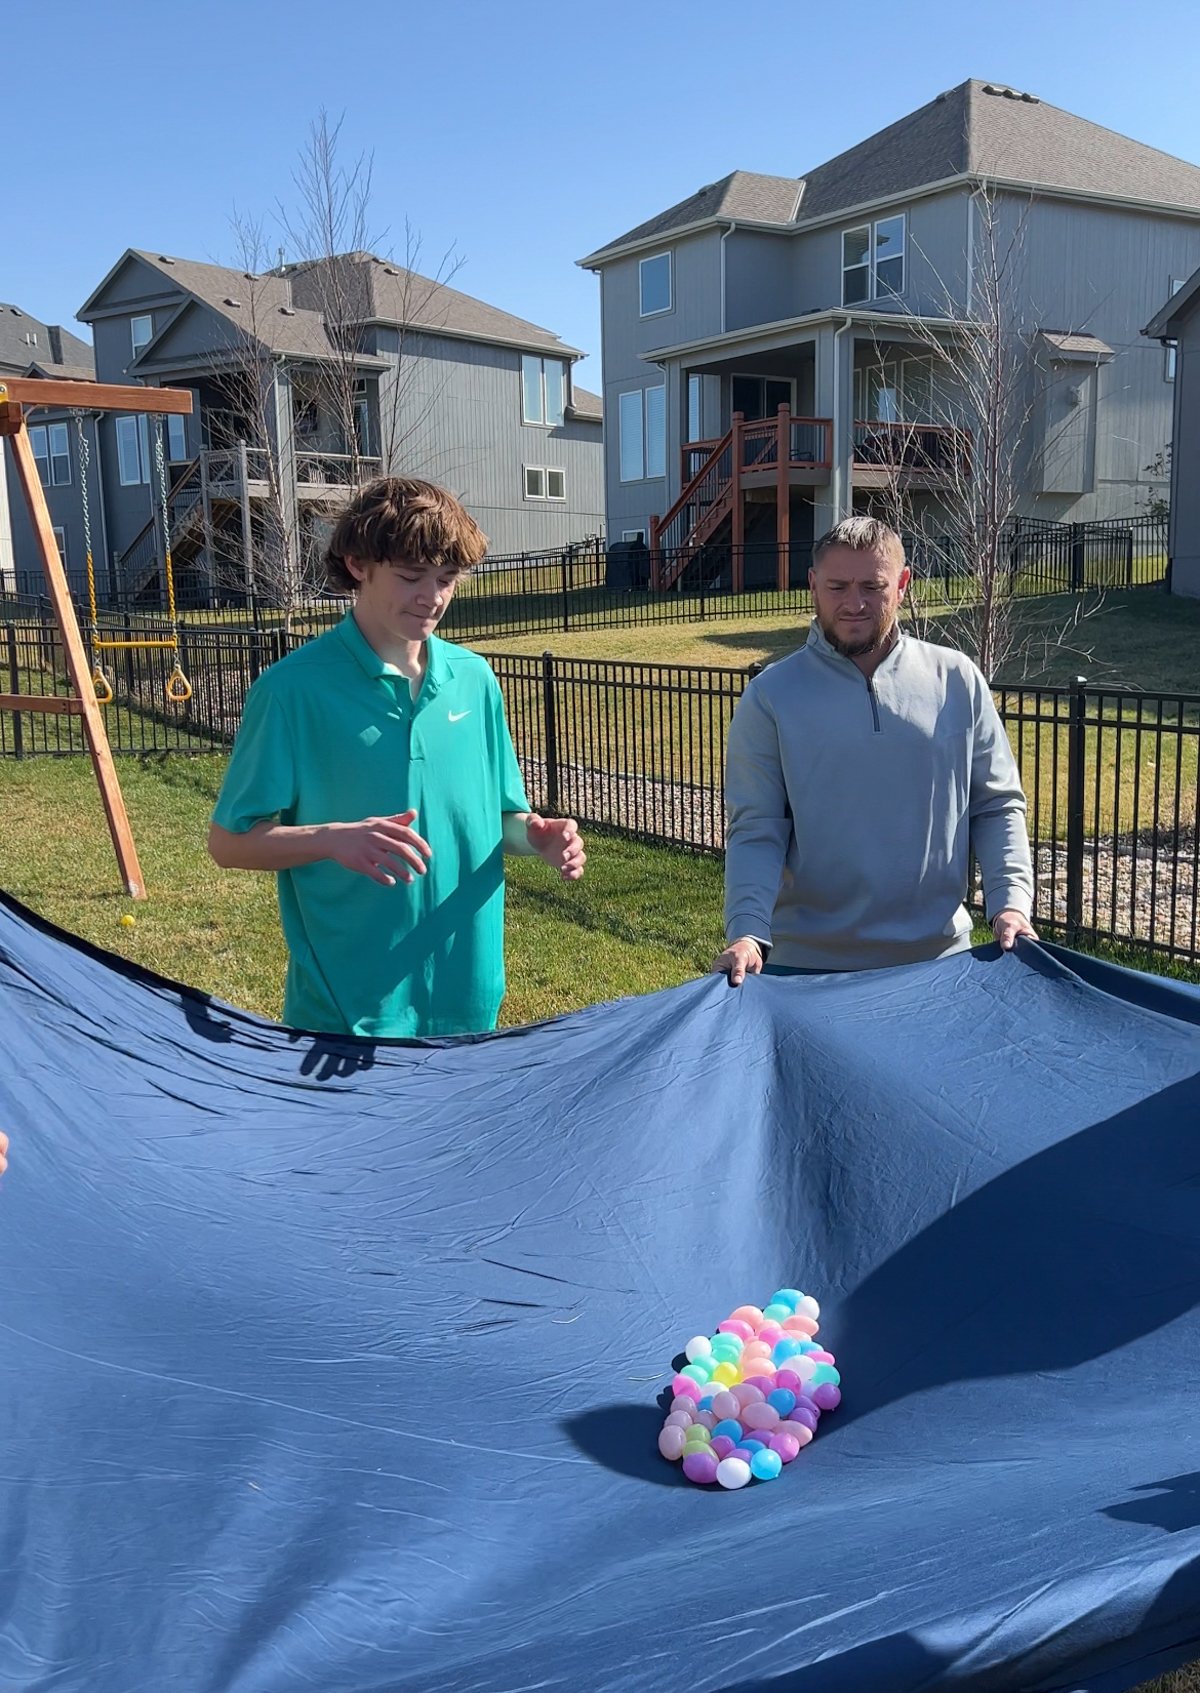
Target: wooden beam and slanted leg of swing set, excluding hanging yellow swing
16,394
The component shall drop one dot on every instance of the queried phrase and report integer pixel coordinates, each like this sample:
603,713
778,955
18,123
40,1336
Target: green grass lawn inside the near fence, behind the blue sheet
639,922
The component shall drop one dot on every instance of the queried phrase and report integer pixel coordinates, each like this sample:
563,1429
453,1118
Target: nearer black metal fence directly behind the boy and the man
1111,778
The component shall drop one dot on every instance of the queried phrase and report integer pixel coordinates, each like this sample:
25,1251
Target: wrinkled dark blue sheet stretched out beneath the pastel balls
329,1365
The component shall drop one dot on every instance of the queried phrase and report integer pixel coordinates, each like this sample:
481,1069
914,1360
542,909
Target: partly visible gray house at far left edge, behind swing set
36,350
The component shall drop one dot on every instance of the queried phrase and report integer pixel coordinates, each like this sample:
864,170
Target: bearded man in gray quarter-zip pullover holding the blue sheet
861,773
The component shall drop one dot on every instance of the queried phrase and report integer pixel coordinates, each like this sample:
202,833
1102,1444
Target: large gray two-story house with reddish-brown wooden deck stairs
781,351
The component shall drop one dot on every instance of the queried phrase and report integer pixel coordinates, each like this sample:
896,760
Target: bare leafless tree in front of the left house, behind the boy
348,411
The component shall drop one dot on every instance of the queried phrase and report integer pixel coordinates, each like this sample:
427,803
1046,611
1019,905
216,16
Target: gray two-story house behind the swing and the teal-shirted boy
311,378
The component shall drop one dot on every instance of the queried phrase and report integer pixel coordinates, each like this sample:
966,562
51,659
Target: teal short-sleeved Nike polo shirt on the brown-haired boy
333,736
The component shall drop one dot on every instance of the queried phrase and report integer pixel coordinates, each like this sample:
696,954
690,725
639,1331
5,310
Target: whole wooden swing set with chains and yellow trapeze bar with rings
92,687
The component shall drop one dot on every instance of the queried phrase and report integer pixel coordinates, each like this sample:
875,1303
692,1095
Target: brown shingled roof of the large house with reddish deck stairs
974,131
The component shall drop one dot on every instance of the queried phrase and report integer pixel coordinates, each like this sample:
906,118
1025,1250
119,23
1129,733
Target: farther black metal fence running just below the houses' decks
597,588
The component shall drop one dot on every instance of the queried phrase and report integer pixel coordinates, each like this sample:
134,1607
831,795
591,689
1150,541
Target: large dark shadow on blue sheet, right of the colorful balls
1067,1257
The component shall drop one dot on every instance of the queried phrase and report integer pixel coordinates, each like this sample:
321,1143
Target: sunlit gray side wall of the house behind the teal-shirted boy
451,411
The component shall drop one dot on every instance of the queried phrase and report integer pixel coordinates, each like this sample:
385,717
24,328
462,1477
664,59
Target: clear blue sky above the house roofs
524,135
